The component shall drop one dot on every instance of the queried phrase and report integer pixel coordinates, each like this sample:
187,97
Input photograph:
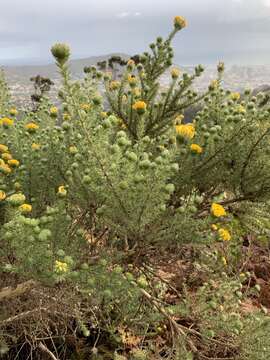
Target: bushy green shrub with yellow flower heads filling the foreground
88,189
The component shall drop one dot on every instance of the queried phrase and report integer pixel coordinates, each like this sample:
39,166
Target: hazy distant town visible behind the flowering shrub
236,78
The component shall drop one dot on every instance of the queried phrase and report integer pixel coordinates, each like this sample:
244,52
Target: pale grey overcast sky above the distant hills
236,31
